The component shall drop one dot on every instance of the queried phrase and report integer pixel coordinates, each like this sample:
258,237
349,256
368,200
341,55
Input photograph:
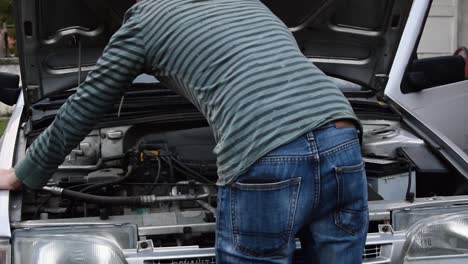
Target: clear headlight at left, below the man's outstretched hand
96,244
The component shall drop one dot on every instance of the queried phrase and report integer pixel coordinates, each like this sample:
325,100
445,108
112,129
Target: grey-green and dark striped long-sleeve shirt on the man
233,59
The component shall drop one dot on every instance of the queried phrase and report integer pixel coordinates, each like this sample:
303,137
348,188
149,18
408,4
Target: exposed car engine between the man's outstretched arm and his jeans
149,176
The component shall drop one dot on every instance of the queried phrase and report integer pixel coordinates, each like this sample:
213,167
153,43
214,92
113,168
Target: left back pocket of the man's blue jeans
263,215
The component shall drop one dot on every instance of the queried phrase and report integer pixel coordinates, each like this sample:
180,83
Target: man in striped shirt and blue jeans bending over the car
288,154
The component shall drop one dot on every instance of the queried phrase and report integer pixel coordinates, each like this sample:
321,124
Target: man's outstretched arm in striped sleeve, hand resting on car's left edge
123,59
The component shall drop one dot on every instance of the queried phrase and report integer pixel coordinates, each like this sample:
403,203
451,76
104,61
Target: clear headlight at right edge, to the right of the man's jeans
437,236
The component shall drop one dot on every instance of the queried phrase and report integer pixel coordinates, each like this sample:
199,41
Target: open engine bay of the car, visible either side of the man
162,179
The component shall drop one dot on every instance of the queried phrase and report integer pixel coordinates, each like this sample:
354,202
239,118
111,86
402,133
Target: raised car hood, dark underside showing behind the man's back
354,40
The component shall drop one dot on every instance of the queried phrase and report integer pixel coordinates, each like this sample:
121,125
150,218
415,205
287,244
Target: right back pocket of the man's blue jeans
352,211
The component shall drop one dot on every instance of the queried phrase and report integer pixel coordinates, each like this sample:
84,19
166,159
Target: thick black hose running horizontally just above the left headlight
96,199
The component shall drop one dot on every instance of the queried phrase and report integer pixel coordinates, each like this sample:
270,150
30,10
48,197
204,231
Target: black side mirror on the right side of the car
431,72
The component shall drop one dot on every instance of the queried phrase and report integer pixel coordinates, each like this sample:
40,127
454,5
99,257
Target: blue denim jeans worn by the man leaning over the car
313,188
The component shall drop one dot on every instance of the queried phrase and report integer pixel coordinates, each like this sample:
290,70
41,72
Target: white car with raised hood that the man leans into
139,188
